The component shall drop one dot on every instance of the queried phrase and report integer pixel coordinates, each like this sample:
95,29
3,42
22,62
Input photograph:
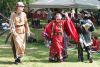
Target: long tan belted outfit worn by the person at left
18,38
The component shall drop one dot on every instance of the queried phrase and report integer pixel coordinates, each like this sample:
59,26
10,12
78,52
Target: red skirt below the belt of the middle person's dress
57,46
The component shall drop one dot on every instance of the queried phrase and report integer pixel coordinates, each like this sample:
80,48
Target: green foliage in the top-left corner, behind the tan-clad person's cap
6,6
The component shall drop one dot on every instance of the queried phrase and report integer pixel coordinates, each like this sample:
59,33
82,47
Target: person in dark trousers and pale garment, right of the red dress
85,40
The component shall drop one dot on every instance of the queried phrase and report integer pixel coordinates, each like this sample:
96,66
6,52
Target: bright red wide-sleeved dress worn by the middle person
54,32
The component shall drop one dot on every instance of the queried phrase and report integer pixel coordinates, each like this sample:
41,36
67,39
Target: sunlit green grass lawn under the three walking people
37,55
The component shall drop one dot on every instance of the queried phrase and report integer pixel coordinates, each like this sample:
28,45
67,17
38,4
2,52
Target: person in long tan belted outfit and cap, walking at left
19,27
